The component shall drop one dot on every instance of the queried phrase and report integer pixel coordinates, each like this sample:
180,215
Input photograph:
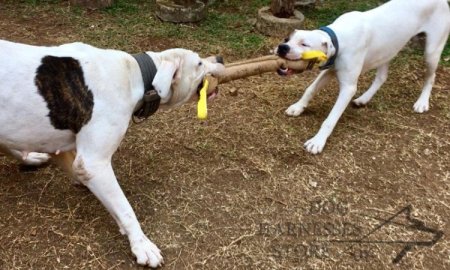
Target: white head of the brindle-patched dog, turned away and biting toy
180,75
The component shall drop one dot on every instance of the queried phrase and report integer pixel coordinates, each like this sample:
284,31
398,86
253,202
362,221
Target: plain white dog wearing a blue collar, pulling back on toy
361,41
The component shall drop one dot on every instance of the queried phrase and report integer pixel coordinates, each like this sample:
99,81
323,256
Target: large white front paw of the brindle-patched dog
147,253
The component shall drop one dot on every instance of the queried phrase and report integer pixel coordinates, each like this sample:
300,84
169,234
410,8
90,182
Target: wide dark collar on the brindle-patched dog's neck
151,99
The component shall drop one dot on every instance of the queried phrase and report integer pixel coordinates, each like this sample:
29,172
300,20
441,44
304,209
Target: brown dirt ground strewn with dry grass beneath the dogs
239,191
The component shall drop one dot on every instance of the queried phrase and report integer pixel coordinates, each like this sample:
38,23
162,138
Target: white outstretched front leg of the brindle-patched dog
96,173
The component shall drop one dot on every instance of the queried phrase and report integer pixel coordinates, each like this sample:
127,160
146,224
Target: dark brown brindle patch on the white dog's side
60,81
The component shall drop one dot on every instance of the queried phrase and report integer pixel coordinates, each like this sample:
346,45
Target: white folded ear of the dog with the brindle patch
168,72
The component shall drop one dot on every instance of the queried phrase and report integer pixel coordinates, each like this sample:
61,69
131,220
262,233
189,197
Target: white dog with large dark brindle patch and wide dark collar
76,97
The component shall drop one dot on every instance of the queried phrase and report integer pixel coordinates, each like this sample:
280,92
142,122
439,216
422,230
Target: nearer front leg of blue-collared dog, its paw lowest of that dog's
347,90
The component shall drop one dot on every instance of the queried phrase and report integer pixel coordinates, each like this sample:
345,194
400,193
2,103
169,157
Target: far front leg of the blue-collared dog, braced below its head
321,81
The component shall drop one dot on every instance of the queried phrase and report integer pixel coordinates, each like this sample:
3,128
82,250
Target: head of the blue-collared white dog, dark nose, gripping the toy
301,41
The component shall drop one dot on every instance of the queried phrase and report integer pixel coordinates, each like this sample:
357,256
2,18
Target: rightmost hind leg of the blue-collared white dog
434,46
